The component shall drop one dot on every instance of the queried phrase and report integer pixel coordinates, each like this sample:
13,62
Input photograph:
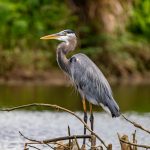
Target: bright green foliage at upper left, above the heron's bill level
23,22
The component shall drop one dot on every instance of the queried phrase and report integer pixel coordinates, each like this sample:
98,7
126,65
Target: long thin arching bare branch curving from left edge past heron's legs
56,107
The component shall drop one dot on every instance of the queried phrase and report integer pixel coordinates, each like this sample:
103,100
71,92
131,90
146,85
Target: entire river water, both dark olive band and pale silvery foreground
39,124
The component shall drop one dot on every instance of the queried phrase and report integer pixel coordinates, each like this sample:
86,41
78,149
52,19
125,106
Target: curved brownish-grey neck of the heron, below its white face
63,49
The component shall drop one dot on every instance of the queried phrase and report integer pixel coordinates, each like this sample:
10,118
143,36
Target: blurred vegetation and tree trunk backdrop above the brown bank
114,33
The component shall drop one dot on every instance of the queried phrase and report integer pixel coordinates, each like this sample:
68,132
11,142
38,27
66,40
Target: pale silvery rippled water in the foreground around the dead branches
44,125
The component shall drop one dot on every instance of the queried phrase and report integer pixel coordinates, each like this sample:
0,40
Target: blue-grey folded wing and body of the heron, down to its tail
91,83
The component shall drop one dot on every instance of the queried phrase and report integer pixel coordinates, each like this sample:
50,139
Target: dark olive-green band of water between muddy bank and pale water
129,98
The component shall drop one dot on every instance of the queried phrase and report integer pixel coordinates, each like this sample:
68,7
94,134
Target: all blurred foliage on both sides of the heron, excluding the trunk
23,22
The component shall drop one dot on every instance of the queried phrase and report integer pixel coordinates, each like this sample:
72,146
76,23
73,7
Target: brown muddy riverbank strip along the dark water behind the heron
57,77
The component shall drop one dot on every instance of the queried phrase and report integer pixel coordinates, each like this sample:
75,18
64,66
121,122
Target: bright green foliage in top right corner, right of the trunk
140,19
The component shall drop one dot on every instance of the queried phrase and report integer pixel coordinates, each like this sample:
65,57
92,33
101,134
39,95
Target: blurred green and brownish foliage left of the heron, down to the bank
23,22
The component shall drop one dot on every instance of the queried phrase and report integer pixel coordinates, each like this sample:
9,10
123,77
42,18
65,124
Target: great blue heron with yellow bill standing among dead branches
86,76
